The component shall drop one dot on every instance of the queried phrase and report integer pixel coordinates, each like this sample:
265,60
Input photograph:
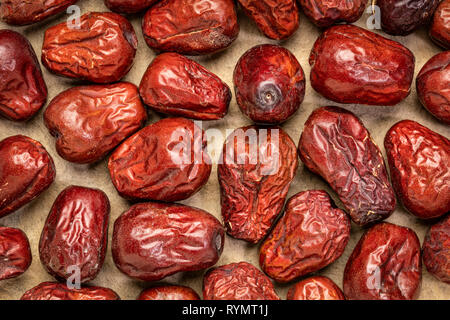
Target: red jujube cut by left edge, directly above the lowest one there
27,170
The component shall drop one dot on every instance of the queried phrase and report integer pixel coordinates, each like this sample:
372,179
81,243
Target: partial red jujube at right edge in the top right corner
440,25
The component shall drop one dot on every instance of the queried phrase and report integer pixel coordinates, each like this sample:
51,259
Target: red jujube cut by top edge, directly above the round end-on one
275,19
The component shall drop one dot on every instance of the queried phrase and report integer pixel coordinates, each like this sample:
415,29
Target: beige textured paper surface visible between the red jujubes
377,119
